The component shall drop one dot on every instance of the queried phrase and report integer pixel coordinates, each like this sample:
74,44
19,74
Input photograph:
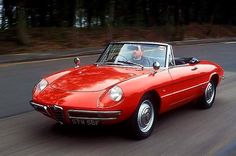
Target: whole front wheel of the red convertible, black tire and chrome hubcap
142,122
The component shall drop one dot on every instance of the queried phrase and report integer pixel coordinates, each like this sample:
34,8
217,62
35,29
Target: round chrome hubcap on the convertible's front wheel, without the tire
145,116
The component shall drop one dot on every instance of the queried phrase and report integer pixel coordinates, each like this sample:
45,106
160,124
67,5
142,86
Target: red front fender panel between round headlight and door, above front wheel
134,89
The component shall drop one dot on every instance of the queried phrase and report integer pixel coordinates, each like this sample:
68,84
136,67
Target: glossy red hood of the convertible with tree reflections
95,78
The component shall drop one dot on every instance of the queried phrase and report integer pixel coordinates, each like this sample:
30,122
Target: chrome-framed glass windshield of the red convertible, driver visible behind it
133,54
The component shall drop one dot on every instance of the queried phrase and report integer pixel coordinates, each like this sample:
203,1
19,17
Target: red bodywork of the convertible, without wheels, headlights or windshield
82,92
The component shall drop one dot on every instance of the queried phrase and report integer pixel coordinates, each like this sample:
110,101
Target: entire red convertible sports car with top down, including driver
131,82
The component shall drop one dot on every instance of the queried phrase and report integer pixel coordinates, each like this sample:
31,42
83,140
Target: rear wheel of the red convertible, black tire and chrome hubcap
208,98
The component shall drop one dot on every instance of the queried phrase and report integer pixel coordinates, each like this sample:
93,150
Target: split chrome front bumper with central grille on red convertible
57,113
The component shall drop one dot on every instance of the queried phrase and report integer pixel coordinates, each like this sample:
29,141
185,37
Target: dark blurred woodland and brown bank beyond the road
43,25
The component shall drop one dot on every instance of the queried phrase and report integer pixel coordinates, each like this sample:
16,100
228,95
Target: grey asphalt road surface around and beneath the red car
185,131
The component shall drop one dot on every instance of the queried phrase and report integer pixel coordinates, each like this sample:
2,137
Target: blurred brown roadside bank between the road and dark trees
54,38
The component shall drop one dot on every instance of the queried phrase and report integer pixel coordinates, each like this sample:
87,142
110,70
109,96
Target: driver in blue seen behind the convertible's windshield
137,57
